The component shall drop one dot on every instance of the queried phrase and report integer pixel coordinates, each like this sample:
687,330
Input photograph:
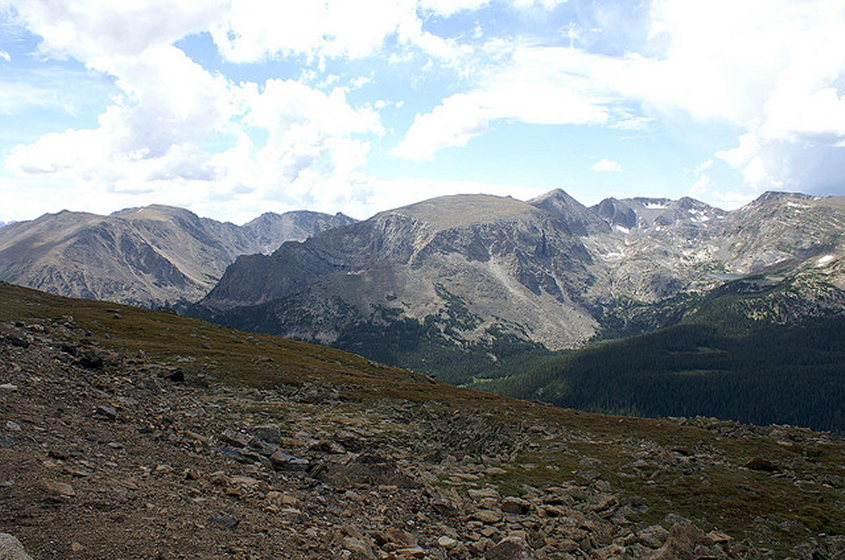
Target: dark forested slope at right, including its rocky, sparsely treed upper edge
756,349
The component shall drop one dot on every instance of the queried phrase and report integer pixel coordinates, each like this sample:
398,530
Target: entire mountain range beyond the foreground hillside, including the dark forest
715,313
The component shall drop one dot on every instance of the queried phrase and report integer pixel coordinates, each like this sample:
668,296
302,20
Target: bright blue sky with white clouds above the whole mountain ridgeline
232,108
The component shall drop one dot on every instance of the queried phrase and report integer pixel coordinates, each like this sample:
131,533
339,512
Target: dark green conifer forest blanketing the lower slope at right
774,374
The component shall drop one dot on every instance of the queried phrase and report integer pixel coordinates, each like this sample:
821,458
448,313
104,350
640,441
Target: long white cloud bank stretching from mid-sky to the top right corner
770,68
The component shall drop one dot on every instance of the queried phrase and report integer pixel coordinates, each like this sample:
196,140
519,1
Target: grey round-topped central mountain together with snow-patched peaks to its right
496,278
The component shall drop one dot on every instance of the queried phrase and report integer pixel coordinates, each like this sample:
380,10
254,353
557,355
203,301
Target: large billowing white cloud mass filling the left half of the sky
180,133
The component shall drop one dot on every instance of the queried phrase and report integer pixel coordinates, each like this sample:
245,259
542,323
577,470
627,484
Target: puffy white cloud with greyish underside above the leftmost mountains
168,101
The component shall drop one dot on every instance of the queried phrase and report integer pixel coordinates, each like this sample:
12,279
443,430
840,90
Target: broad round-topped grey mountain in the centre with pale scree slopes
465,271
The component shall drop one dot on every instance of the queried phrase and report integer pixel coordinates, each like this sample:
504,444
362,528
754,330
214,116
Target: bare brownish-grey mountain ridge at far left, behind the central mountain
154,256
